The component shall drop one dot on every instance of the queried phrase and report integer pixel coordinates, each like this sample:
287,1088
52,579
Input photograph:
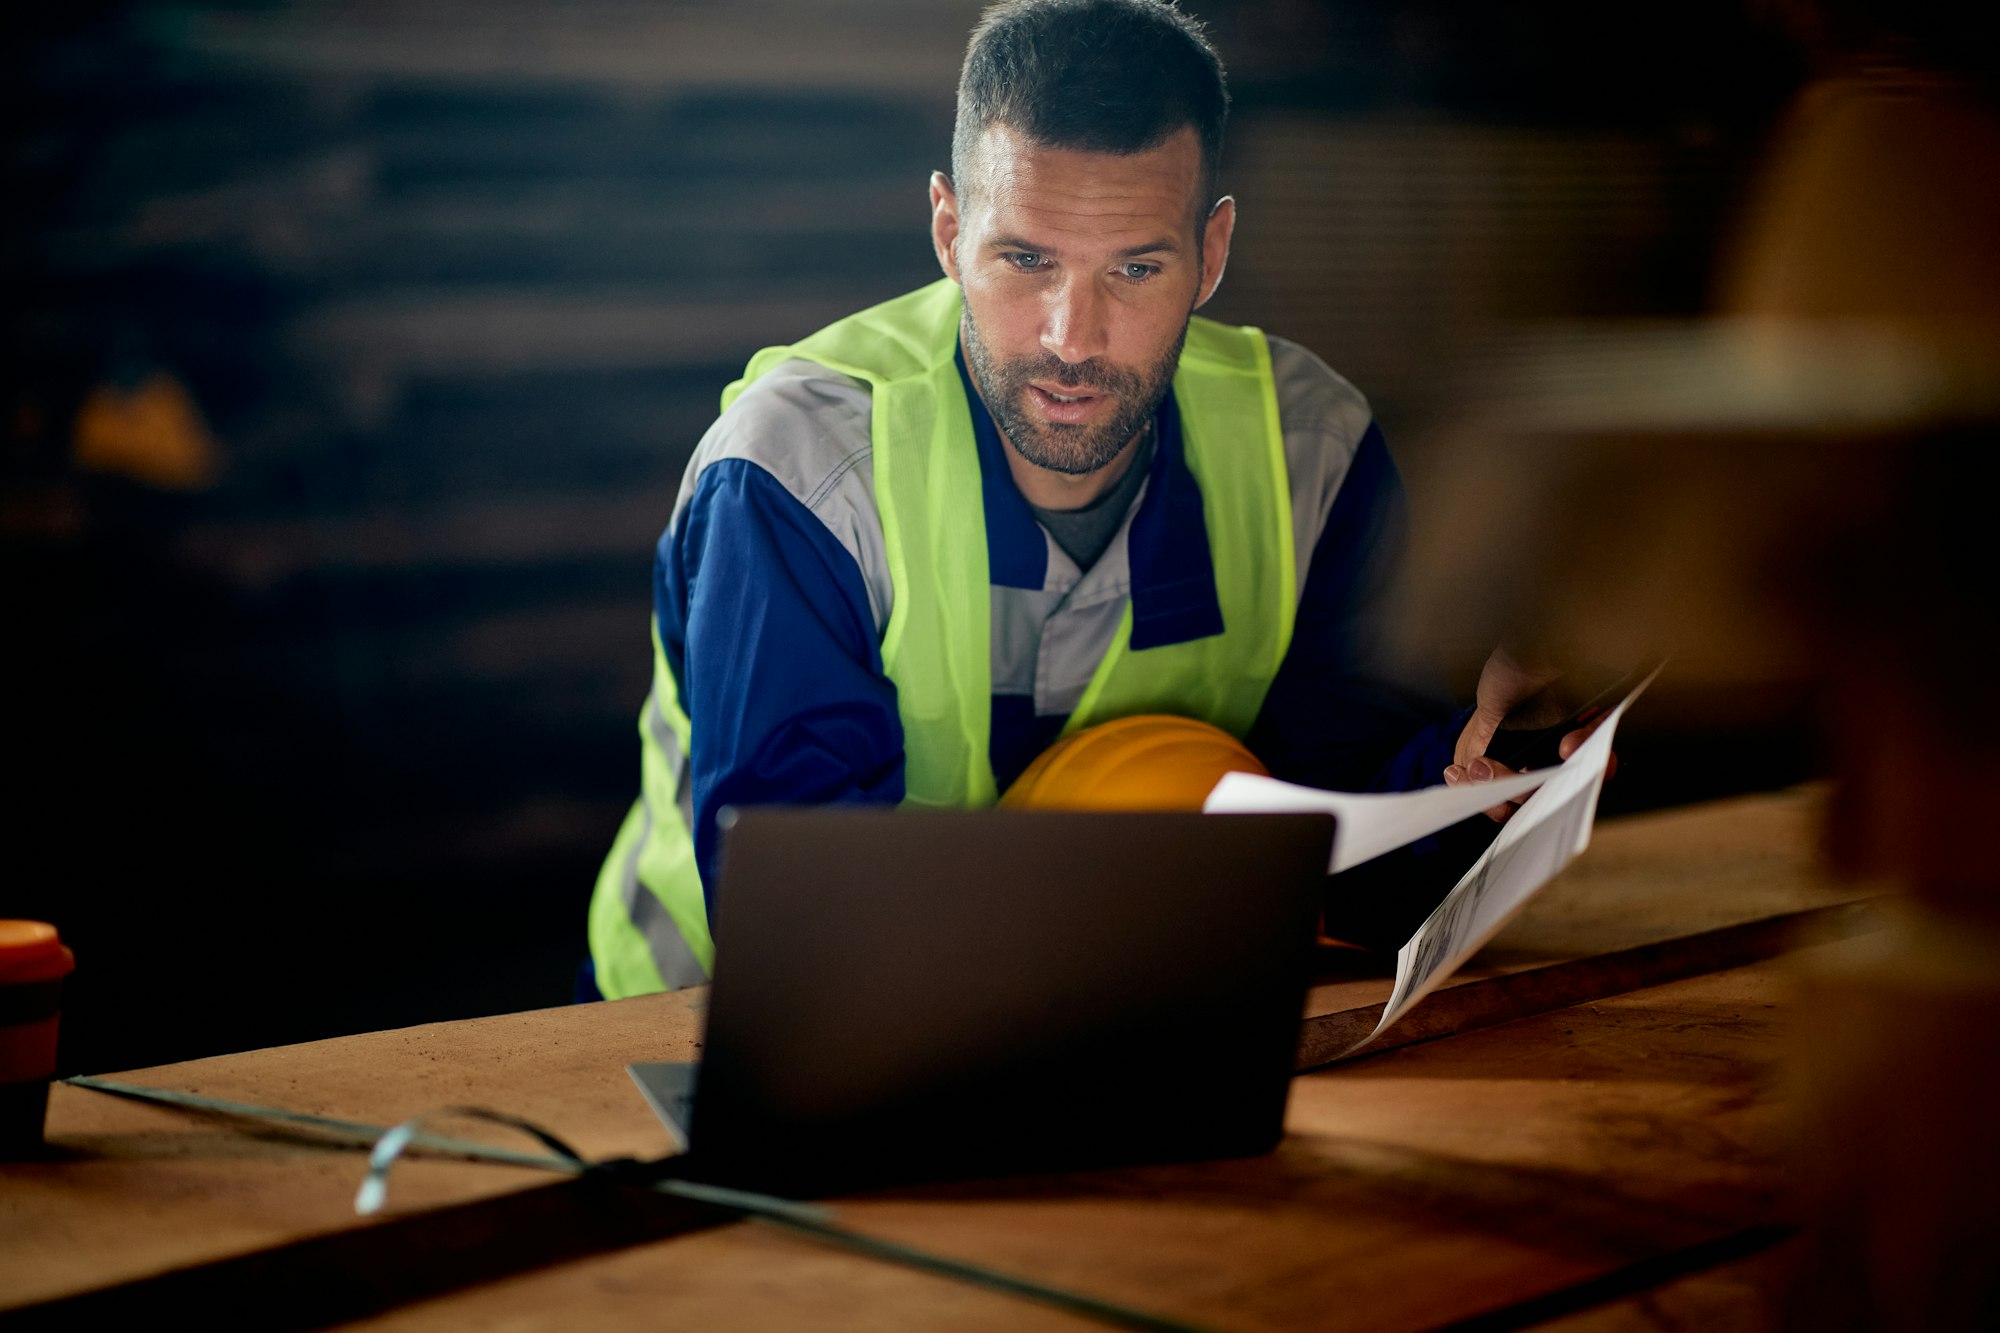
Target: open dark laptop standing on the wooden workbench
917,996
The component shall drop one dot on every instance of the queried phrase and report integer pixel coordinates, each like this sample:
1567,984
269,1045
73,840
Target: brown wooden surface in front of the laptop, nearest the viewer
1415,1190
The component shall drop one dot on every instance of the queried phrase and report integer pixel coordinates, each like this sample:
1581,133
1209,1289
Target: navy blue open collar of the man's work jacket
1173,571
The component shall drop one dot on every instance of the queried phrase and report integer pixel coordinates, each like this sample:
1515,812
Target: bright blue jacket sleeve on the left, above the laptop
767,627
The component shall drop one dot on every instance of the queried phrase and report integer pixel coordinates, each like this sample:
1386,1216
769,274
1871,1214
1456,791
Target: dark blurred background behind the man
355,351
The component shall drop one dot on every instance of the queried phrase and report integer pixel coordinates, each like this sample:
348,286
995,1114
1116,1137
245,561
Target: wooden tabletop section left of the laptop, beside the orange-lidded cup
133,1190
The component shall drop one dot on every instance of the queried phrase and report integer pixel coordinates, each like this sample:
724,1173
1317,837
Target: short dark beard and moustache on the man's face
1063,447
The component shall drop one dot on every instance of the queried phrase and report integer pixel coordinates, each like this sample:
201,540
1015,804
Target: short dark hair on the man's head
1093,75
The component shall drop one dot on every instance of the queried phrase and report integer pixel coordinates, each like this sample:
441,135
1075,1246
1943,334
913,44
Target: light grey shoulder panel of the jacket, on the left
811,429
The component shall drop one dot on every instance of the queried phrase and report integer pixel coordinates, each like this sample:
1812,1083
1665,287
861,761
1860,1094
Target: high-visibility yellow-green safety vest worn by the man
927,487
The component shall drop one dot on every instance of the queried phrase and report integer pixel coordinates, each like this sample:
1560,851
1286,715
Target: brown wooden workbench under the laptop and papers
1417,1188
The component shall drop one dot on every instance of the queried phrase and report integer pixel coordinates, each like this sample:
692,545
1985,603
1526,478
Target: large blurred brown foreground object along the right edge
1795,497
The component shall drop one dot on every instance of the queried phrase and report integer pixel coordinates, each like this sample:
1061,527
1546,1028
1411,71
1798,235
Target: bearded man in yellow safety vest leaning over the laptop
923,543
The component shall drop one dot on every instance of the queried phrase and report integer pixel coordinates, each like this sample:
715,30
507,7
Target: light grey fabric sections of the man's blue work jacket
809,429
